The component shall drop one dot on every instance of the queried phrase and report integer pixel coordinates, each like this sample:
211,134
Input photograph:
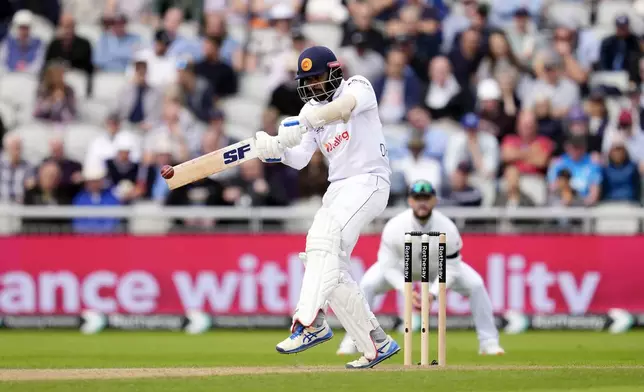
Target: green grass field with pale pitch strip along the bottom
243,361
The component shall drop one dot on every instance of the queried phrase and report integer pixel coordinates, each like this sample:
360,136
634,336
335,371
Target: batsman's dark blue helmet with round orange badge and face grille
313,63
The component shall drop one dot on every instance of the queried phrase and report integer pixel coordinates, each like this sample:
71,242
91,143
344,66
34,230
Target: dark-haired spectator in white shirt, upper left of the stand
161,70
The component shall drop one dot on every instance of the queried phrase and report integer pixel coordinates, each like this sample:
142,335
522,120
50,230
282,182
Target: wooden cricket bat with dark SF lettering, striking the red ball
214,162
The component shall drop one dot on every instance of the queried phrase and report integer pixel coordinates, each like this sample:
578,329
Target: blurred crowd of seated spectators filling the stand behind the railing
498,102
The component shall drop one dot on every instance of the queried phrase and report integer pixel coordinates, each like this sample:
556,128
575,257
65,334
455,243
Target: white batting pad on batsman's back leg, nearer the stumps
351,308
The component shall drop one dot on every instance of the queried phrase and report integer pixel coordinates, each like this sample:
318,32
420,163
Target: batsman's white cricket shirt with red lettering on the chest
357,147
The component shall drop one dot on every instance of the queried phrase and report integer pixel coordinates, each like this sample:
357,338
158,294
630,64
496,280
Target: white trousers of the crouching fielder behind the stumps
461,278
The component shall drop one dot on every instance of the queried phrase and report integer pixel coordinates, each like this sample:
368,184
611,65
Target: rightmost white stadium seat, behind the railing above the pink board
617,226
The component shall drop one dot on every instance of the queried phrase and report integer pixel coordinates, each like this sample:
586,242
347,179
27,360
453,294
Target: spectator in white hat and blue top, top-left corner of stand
22,52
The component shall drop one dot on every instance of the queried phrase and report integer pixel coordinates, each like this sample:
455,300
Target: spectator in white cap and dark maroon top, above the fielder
493,116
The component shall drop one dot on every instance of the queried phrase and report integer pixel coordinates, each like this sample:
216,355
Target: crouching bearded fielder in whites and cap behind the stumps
387,273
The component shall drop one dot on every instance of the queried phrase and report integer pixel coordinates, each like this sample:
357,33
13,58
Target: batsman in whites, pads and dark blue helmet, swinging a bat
340,117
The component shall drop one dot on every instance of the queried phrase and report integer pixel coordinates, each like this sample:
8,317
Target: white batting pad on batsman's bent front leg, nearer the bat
322,272
